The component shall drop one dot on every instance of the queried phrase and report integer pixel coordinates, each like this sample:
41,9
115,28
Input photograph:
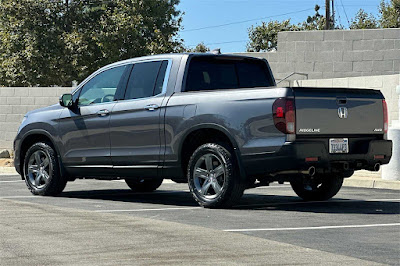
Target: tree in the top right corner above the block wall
389,14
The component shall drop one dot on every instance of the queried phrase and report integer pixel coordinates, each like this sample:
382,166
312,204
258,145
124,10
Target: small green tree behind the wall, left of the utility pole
265,36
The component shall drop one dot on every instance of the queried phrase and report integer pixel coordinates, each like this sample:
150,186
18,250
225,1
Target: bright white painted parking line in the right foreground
311,228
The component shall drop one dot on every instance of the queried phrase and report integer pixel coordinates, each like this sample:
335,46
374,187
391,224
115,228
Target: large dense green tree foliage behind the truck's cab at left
53,42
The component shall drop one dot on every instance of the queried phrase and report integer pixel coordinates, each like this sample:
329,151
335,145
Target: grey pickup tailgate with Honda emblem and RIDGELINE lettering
338,111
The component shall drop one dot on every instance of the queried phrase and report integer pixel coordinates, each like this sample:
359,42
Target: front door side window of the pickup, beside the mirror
102,87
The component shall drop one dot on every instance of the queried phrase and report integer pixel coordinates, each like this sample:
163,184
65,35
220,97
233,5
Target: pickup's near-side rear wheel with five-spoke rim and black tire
217,183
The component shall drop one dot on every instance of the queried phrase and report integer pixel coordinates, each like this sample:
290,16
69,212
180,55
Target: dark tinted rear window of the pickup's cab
211,73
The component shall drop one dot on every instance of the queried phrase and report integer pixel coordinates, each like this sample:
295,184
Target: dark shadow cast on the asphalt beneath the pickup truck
249,202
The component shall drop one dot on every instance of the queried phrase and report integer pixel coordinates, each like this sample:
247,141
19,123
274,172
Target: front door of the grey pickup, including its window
85,129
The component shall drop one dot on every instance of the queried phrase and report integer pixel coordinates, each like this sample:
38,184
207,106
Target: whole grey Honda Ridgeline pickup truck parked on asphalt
218,122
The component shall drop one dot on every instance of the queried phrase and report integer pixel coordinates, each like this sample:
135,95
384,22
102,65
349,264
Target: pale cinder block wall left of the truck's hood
16,102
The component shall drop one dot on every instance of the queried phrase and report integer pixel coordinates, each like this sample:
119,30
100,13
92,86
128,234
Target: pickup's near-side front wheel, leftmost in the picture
42,171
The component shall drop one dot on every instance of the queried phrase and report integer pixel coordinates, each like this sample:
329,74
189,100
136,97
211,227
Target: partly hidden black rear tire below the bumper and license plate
320,188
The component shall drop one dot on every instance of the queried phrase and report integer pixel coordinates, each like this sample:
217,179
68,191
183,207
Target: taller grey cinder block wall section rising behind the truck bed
335,53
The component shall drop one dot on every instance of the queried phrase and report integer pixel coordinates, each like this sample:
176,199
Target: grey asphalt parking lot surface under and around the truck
103,223
